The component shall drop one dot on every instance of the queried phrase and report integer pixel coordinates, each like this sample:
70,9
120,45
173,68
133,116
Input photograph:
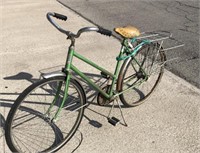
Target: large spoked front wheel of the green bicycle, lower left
42,134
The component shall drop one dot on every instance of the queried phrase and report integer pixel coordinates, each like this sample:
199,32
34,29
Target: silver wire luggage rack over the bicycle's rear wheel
162,40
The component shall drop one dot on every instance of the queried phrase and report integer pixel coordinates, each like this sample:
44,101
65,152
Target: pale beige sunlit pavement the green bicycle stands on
167,122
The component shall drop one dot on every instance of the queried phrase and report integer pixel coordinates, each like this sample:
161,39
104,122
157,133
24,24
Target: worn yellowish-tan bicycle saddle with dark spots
127,32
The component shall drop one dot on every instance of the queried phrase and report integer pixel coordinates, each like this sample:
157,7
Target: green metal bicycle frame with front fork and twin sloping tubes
70,67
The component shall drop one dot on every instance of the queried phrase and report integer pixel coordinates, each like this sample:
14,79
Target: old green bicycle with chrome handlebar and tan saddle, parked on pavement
47,114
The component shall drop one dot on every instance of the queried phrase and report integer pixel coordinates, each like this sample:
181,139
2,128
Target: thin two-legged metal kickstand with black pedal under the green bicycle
114,120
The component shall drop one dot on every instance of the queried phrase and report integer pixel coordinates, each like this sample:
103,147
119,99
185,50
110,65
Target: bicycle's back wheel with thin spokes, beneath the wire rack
138,94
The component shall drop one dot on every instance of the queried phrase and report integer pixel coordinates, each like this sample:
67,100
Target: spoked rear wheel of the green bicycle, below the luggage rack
141,74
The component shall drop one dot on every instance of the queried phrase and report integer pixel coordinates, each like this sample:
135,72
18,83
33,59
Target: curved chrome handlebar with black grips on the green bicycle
69,33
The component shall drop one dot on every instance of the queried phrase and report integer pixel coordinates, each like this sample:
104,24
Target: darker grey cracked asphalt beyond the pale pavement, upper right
179,17
